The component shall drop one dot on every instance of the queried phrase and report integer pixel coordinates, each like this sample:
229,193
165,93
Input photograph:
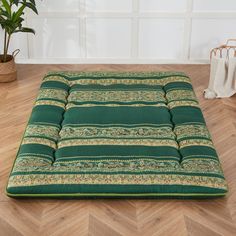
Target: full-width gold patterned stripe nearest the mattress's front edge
117,179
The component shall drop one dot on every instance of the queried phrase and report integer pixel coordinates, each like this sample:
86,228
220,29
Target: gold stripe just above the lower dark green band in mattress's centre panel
144,142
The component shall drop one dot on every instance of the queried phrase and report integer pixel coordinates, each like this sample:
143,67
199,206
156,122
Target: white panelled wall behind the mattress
126,31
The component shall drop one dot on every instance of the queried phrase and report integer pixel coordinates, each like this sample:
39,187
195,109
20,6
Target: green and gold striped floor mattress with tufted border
112,134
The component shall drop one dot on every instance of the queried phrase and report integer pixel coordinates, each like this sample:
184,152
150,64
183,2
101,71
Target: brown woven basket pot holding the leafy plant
7,69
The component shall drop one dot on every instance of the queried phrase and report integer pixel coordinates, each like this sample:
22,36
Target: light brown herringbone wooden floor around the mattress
115,217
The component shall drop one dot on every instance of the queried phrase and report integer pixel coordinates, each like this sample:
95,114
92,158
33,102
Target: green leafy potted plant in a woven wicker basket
11,21
